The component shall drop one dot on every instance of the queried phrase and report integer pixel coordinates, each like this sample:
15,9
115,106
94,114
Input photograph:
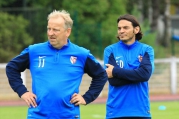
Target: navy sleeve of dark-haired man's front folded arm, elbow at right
141,74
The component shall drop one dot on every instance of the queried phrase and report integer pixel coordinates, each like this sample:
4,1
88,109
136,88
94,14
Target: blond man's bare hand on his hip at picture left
30,99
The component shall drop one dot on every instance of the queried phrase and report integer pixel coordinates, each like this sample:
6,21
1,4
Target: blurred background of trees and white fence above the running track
24,22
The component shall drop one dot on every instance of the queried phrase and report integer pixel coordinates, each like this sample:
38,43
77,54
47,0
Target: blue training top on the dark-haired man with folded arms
128,94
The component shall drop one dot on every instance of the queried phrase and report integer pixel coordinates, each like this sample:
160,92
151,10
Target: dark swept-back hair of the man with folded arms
134,22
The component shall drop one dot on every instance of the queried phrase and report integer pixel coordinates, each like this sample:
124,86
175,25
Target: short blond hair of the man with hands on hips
64,14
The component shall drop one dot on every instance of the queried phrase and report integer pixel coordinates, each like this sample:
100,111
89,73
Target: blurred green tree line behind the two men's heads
23,22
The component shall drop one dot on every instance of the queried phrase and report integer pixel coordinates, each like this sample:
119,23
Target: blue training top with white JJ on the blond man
56,76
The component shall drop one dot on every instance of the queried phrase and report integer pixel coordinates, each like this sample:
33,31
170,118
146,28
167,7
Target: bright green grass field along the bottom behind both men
97,111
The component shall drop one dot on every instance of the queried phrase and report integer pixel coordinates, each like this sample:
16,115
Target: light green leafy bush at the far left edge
13,36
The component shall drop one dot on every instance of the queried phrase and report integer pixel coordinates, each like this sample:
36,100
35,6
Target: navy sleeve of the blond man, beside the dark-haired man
99,77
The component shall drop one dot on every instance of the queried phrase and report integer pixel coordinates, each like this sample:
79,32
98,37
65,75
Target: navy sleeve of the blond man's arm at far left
13,72
